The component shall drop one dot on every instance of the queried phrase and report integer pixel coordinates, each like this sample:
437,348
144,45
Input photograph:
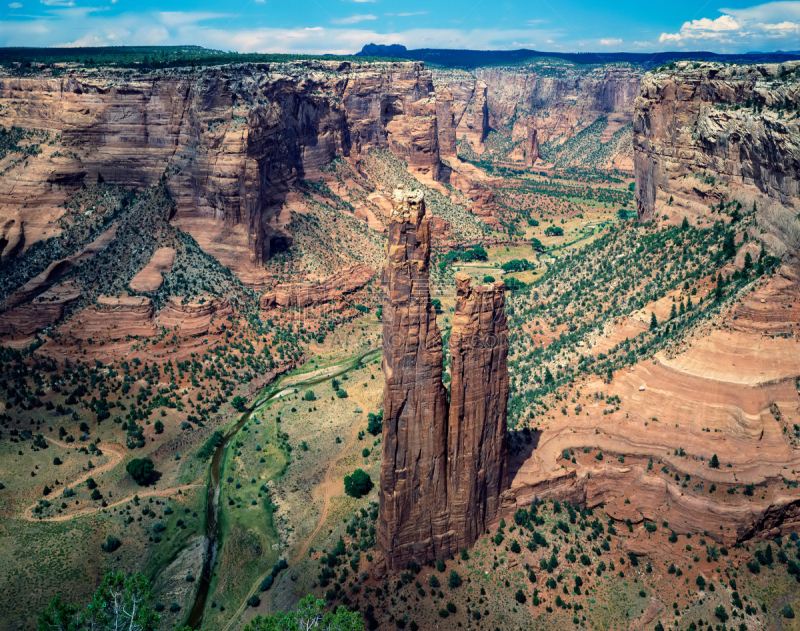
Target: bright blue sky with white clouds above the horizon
344,26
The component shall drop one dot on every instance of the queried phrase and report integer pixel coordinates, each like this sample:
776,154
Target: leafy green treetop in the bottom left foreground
119,603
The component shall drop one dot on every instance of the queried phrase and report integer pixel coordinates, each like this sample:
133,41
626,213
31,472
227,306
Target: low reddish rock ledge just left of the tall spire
331,289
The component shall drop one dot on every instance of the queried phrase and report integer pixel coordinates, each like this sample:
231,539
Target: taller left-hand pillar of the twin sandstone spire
412,523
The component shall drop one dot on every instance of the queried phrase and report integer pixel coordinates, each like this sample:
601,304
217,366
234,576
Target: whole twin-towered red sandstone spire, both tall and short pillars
441,474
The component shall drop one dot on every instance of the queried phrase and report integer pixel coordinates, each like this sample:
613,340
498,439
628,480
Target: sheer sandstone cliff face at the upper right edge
720,122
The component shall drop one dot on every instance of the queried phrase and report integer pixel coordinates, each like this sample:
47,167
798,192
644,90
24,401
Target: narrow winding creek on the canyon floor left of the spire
269,393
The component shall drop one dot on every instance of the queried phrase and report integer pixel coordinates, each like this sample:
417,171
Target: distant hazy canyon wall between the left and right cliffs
540,103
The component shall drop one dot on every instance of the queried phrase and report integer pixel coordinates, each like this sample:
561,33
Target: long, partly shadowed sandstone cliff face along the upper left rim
231,140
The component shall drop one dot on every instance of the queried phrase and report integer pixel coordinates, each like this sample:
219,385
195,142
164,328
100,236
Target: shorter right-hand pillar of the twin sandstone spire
477,471
